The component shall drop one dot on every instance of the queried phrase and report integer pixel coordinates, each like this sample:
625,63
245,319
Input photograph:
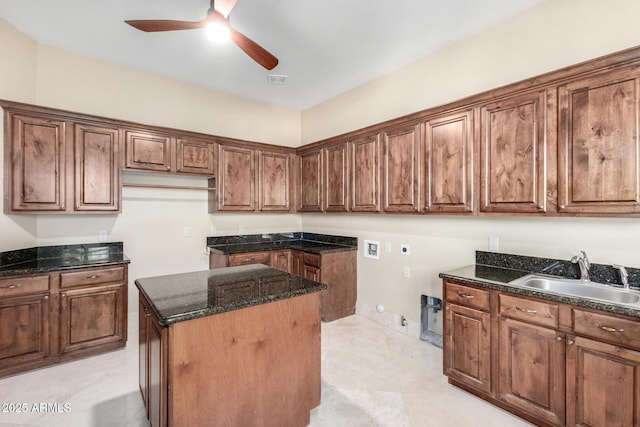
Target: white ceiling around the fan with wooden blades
326,47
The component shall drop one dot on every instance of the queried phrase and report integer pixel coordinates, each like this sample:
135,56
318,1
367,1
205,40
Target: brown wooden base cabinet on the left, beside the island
53,317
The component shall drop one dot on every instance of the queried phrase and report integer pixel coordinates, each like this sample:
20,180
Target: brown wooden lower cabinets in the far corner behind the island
337,270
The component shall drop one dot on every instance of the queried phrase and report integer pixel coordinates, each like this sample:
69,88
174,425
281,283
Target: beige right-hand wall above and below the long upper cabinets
552,35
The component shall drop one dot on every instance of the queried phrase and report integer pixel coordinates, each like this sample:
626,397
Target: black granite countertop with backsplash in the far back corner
308,242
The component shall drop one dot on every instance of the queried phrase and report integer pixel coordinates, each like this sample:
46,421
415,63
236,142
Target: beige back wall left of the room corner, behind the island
152,221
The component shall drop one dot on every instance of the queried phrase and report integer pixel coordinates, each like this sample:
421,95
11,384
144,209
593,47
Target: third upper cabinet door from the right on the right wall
448,185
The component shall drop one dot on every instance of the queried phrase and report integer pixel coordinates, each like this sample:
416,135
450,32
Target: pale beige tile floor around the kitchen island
371,376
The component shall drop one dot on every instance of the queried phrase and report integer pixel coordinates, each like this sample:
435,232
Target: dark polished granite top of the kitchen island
179,297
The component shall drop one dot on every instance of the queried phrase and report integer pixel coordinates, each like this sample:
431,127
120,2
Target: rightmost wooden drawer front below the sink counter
607,328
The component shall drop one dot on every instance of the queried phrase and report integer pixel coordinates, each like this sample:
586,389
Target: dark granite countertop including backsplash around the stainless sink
498,276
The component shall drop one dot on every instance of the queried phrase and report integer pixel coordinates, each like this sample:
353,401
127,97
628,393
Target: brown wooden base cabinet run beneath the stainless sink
553,364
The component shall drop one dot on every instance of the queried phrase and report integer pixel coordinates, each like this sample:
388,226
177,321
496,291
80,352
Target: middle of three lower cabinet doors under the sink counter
531,366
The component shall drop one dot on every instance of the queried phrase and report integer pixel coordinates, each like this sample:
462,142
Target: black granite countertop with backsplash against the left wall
43,259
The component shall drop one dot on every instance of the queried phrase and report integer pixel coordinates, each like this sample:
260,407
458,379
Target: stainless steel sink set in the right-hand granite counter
578,288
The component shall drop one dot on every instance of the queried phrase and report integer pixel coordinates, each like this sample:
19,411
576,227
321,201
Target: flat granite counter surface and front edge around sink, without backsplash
498,278
